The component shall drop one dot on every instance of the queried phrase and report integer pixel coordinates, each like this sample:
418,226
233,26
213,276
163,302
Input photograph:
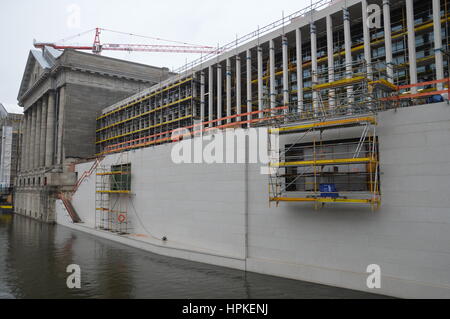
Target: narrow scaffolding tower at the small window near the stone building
113,191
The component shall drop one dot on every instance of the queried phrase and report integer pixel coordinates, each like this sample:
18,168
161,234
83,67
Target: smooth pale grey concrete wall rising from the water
220,210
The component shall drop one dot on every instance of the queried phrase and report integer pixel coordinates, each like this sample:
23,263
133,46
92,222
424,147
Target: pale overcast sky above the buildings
206,22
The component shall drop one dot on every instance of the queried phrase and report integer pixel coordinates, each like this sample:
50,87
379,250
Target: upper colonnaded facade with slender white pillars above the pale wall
402,42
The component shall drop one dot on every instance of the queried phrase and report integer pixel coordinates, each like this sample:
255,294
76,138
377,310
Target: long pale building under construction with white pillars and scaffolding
357,122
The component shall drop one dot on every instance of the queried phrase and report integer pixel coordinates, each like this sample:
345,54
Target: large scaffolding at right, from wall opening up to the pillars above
311,168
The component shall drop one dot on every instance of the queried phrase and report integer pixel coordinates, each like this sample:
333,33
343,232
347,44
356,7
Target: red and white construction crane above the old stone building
97,47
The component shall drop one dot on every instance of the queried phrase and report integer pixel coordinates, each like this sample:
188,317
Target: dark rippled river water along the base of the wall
34,257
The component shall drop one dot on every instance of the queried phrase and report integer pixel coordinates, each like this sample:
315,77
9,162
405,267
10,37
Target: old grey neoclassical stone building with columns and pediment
62,92
